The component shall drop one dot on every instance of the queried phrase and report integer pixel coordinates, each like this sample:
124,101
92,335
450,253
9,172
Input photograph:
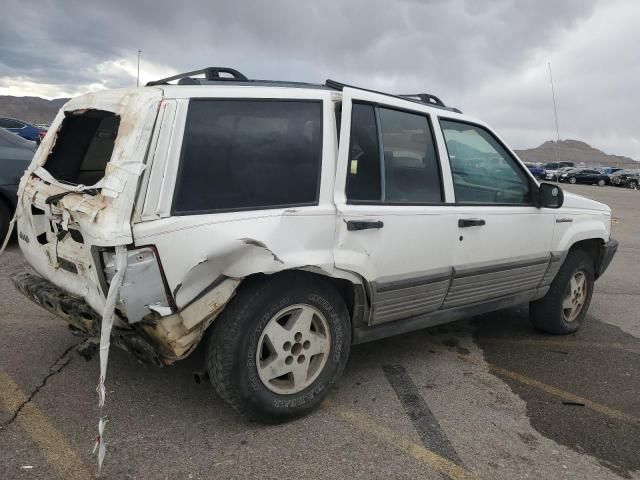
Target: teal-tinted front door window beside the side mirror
482,169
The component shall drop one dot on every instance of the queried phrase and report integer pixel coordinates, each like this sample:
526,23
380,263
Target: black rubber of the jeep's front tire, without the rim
547,314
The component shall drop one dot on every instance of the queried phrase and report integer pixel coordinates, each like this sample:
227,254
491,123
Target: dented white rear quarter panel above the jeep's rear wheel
238,244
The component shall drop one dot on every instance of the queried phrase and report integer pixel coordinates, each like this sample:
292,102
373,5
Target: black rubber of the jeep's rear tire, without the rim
235,335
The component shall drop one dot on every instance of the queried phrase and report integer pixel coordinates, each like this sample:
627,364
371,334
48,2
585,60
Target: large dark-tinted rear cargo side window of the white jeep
249,154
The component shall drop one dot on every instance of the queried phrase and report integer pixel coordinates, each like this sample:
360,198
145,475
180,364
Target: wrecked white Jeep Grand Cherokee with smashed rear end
284,222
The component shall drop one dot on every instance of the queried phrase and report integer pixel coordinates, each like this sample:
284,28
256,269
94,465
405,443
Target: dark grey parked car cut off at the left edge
15,155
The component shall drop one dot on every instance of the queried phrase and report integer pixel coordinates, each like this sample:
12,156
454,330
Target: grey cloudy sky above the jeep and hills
489,58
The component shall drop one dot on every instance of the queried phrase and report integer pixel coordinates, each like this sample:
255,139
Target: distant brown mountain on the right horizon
574,151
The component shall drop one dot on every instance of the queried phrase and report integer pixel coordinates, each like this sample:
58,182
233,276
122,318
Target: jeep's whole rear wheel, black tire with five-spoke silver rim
279,346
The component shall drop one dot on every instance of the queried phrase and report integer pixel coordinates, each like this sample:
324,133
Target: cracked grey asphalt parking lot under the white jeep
486,397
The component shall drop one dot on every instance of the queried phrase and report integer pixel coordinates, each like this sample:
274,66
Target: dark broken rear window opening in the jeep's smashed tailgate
83,147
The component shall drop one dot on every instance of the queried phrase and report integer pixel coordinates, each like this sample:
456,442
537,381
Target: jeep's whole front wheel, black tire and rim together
562,310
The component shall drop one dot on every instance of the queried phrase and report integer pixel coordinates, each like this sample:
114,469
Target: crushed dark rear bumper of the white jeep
81,318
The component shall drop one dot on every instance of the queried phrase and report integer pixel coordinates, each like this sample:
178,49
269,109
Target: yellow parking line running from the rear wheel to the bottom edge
366,424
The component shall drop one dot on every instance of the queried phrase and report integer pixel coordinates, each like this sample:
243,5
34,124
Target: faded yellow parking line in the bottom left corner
53,444
